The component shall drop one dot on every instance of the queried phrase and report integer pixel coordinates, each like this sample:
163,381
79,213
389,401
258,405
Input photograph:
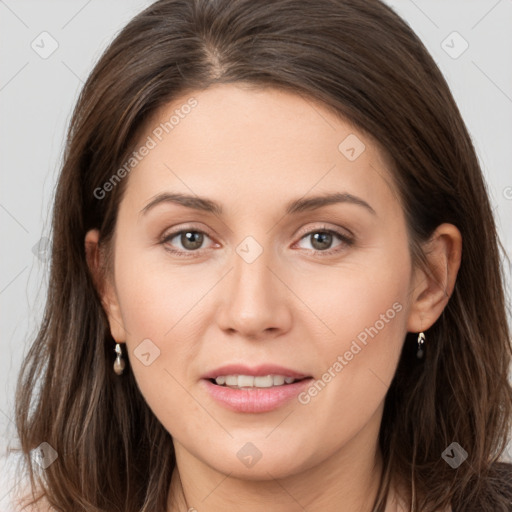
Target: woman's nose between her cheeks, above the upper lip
256,301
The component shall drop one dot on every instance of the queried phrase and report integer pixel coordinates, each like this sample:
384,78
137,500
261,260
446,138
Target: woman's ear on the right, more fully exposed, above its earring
431,289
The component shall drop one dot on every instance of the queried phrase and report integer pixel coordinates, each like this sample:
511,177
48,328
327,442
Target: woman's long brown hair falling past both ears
365,64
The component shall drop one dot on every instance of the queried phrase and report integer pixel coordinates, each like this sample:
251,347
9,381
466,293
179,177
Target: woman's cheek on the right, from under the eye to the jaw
359,358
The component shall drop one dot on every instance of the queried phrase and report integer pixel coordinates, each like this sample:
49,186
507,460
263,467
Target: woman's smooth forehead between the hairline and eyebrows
252,145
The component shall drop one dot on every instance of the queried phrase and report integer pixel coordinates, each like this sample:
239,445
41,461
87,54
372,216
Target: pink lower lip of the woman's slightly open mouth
255,400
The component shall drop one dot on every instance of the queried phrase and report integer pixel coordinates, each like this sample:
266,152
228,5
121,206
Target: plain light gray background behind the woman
37,95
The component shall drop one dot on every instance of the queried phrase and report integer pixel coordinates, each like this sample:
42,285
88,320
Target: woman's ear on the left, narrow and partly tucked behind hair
104,285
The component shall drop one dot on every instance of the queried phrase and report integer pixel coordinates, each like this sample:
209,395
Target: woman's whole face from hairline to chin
269,281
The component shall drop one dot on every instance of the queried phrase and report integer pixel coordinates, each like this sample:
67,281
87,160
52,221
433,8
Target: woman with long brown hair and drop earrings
275,275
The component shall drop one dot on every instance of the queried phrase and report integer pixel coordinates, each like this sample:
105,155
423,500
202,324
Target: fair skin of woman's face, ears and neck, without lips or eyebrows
253,151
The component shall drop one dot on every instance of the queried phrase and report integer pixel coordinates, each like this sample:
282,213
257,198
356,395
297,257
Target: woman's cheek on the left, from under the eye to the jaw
158,307
